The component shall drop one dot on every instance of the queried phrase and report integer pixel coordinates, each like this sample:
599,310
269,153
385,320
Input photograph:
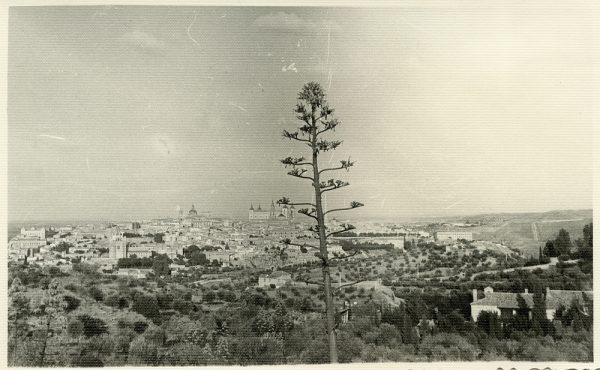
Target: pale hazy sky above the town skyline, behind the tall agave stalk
127,112
